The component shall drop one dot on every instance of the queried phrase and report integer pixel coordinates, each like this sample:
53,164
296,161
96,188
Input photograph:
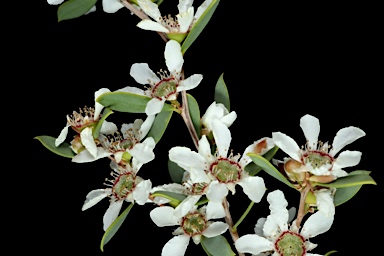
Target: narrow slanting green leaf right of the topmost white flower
199,26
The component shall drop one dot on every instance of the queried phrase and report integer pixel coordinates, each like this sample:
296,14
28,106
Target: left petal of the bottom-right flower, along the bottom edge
253,244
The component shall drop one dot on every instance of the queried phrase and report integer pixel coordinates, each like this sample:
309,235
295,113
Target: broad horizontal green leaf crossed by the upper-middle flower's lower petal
127,102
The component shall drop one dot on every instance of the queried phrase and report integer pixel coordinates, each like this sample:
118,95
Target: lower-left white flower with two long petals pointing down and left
125,186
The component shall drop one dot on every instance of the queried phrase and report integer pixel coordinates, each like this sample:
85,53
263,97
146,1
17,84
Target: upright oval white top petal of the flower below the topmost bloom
173,56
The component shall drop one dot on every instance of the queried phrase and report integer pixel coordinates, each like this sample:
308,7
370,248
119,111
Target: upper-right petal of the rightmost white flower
344,137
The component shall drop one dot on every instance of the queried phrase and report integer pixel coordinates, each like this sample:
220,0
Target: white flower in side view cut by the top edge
180,25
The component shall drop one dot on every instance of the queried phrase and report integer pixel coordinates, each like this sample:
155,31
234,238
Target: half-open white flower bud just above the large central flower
220,112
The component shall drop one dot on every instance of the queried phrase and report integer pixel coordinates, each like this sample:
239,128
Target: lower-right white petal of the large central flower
253,187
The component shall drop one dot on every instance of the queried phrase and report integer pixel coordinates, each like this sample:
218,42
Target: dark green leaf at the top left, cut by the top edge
74,8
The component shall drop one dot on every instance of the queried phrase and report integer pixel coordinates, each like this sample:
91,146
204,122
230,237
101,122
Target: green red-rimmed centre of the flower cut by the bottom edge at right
290,244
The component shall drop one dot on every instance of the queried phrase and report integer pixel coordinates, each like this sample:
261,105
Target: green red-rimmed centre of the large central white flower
226,170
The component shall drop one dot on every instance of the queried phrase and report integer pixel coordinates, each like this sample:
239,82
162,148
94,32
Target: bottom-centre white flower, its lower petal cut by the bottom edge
193,223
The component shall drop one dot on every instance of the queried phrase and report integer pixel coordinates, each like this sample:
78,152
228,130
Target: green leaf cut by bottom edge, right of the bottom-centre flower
216,246
